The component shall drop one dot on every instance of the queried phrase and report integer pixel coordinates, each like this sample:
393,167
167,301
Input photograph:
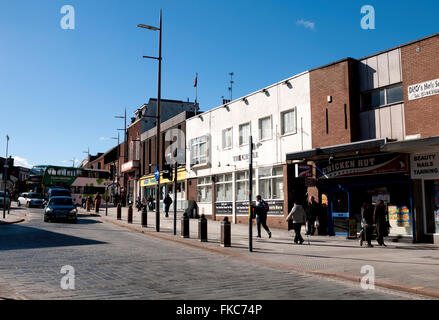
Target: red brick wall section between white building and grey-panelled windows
333,80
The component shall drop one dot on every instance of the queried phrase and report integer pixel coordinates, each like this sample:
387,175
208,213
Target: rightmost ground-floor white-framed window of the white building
271,183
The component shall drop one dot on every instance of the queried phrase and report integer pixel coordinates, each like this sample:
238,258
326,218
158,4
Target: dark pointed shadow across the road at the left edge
15,237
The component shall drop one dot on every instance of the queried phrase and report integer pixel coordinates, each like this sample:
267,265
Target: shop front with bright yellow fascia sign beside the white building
148,186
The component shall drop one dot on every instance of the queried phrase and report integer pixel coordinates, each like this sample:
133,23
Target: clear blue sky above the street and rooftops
59,89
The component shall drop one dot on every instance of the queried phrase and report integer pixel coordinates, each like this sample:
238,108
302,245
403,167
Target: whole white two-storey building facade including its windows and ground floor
278,118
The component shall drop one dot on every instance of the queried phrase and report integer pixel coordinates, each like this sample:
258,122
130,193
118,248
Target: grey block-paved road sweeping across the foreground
111,262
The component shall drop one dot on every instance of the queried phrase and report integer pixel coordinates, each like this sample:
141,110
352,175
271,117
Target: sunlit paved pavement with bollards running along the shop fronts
400,265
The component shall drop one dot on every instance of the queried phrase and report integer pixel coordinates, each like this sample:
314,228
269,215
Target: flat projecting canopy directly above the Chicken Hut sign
348,148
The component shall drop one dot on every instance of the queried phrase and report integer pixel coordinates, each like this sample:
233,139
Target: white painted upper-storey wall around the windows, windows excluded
270,152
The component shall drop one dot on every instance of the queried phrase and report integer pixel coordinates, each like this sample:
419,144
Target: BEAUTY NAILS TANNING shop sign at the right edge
425,166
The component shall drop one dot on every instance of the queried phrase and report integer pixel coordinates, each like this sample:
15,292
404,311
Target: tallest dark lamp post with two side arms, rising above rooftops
159,58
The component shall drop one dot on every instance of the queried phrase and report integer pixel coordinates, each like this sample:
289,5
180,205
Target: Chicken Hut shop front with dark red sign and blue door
346,183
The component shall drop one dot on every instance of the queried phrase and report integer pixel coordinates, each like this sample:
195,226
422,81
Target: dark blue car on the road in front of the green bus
61,208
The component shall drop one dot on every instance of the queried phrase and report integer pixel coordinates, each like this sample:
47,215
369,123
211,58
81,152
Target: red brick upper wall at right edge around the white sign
421,115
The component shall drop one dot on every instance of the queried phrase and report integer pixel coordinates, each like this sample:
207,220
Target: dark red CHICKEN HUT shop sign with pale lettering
364,165
